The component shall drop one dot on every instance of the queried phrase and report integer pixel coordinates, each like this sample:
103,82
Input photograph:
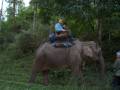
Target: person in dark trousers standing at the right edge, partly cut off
116,77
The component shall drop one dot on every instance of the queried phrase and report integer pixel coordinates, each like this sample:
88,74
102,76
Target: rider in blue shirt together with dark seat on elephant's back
60,35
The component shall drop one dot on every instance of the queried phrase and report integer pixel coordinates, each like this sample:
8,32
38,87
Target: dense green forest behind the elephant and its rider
23,29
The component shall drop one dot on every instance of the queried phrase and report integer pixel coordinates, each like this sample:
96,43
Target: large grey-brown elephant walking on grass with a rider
48,57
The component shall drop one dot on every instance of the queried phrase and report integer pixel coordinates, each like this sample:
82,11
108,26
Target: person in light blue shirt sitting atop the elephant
62,32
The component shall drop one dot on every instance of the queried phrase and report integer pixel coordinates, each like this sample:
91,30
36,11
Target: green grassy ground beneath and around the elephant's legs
14,74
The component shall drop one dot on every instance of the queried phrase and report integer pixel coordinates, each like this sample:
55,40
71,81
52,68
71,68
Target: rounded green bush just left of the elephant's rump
27,42
